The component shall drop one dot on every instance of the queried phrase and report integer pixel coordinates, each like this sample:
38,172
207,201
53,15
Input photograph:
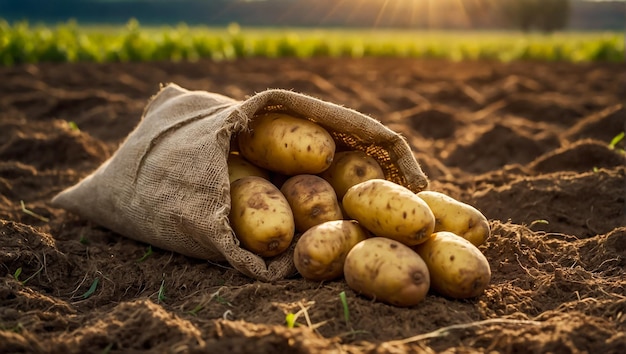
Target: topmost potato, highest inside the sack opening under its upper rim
286,144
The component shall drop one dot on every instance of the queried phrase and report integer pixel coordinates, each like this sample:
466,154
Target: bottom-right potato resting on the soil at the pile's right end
457,268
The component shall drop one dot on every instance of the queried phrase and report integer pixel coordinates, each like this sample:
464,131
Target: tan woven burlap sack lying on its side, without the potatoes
167,184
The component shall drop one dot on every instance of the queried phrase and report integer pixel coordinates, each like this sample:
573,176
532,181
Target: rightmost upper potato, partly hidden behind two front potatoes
457,217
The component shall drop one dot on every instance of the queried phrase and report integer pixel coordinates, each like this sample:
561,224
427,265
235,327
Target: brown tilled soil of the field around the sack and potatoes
526,143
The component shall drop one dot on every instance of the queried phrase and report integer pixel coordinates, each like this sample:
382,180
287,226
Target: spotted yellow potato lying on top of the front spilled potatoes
390,210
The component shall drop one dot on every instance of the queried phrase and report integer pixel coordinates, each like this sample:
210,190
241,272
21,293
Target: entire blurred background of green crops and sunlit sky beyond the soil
153,30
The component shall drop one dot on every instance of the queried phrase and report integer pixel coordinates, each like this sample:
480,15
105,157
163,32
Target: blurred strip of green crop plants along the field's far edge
68,42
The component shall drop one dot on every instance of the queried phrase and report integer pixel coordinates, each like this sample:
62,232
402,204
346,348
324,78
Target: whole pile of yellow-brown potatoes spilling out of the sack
390,244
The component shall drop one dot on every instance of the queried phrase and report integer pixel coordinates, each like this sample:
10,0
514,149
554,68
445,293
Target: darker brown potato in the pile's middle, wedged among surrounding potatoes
312,200
